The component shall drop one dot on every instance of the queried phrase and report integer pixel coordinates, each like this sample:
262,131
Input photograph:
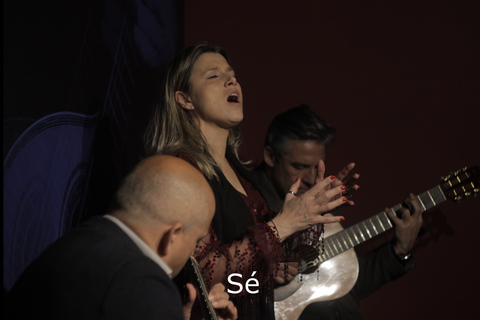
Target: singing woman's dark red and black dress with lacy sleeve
256,250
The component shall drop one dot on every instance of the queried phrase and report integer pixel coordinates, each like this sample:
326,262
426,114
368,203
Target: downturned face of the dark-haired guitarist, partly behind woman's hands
301,161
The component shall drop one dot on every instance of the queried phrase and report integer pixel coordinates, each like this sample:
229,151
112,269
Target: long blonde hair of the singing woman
172,129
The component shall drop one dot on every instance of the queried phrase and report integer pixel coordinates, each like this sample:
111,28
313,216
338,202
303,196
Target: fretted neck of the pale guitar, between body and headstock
367,229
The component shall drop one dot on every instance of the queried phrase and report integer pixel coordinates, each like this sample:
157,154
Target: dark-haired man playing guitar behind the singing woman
295,146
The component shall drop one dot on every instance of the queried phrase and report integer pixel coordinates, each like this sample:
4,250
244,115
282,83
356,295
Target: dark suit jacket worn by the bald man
94,272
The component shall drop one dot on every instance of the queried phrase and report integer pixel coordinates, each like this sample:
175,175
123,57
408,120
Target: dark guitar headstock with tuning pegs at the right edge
461,184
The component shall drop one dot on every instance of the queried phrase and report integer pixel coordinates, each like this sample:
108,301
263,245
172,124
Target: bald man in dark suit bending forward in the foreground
120,266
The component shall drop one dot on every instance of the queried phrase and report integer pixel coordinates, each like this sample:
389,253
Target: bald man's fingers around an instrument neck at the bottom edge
219,299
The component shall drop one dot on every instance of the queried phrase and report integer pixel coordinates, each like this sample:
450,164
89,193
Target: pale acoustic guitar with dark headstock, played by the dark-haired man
328,283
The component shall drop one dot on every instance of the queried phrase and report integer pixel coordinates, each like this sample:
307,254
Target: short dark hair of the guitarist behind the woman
299,123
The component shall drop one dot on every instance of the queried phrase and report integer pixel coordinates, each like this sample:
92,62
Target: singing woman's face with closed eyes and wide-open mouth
215,95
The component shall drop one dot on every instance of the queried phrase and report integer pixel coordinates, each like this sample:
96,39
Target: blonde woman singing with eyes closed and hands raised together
196,118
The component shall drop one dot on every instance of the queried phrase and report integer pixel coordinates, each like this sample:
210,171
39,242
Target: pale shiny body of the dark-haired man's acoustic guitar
331,280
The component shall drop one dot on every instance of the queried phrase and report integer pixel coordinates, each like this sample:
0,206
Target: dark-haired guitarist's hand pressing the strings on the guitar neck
406,227
